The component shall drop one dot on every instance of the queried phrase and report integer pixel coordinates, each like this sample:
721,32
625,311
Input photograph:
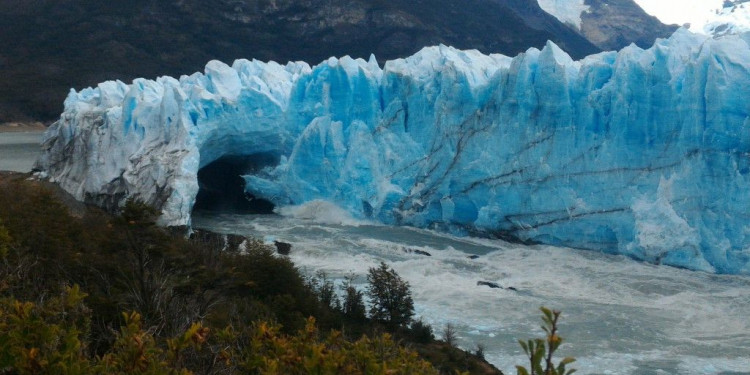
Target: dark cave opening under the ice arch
222,188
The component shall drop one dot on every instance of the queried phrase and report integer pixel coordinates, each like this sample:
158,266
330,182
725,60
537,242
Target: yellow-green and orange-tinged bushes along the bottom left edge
50,338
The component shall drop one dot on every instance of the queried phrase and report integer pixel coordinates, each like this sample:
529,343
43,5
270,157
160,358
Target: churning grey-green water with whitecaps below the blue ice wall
619,316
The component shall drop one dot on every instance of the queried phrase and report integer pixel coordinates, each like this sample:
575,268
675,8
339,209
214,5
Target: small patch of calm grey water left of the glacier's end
18,151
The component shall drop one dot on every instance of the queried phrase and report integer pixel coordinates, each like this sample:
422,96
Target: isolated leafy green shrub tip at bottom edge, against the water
540,351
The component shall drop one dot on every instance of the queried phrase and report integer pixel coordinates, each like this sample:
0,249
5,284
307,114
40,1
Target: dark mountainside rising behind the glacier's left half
51,46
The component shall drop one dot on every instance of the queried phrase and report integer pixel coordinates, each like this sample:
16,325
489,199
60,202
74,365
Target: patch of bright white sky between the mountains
679,11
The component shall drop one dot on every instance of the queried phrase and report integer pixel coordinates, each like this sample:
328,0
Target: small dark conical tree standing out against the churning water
390,296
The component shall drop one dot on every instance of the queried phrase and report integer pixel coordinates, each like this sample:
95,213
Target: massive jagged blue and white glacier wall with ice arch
637,152
